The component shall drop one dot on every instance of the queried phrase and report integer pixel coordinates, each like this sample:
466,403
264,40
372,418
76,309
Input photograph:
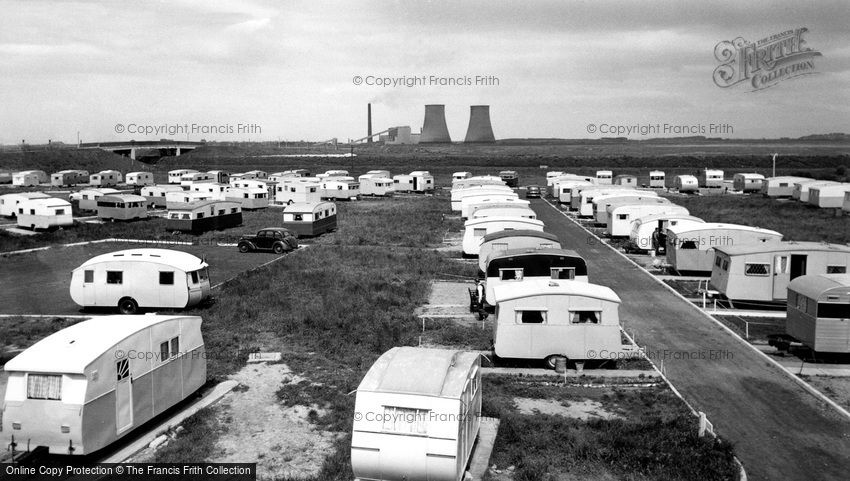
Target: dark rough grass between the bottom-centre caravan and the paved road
657,440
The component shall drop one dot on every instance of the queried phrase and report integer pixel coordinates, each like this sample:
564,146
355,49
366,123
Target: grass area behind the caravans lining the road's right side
796,221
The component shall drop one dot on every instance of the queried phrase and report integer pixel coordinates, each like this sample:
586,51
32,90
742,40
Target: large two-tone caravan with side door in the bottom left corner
84,387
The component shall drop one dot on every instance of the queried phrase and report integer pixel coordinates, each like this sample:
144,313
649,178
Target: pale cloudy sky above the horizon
289,70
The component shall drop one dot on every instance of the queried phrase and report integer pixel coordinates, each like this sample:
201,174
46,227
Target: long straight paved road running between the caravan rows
780,430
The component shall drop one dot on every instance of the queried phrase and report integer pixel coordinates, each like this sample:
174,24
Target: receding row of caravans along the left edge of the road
544,305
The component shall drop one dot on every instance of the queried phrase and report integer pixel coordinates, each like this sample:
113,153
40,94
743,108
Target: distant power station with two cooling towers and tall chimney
434,128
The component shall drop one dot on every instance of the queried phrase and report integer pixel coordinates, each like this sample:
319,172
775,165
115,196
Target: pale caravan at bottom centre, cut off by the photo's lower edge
417,415
